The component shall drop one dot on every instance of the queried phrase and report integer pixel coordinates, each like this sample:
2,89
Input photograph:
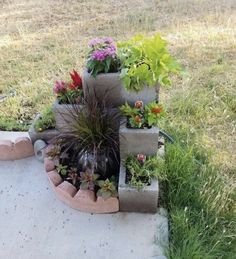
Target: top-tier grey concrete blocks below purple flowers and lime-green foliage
110,86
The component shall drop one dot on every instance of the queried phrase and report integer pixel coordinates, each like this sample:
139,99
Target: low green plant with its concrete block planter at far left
43,126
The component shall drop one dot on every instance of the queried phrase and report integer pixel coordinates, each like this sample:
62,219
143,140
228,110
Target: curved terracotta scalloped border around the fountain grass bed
83,200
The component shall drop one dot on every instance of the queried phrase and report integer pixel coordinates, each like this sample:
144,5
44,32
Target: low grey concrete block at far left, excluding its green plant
45,135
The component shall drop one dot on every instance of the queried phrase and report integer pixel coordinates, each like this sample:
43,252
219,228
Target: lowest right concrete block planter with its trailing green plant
138,183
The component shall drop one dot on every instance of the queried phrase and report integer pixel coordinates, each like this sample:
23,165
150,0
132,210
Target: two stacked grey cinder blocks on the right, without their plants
136,141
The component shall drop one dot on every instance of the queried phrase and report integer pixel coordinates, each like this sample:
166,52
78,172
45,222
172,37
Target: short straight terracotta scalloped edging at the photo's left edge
20,148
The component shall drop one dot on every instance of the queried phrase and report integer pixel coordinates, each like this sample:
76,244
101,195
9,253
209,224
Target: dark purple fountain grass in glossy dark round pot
90,145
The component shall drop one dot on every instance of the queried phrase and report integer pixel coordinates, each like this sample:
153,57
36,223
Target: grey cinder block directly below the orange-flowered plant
135,141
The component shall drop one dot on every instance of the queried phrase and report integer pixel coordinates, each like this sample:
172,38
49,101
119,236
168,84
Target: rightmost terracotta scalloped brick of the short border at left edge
23,148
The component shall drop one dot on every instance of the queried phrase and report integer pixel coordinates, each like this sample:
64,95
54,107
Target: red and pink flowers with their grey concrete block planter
67,94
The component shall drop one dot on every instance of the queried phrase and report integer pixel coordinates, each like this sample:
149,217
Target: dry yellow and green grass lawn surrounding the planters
40,41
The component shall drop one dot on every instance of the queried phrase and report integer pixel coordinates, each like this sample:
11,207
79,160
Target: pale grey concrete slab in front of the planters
34,224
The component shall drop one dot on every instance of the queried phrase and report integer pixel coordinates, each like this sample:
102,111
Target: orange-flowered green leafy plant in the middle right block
141,116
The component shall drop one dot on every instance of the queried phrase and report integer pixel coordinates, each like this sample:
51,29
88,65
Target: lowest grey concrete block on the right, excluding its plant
134,200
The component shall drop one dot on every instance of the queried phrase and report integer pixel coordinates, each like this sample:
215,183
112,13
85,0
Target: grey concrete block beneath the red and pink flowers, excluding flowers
64,115
